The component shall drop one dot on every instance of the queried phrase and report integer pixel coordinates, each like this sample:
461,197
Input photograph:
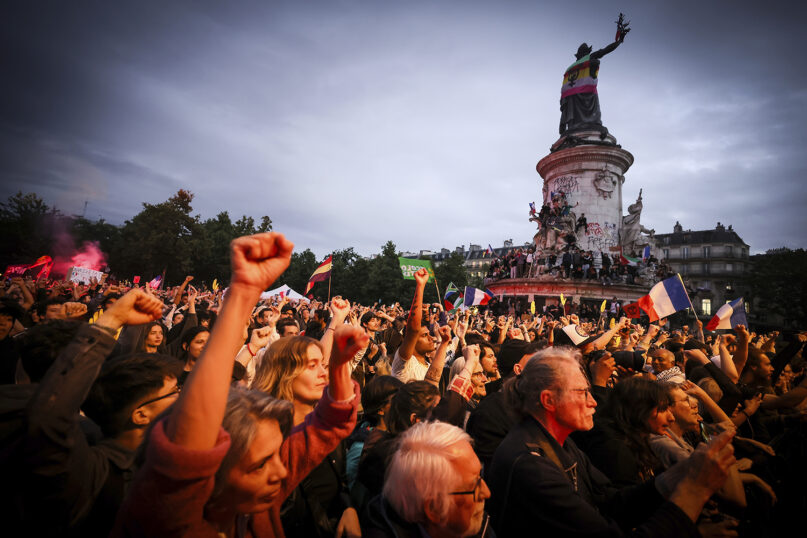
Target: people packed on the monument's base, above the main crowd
578,264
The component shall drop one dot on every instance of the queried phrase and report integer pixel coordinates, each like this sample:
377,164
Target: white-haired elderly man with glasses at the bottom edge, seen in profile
433,487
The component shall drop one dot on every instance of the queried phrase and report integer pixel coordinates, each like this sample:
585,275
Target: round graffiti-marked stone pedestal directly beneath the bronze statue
591,174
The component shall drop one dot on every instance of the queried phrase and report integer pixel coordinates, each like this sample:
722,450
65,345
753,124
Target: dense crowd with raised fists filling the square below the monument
130,411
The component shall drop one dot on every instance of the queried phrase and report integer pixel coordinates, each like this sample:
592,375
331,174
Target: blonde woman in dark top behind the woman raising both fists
294,369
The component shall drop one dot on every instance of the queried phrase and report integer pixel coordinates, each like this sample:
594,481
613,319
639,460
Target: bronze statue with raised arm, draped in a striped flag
579,104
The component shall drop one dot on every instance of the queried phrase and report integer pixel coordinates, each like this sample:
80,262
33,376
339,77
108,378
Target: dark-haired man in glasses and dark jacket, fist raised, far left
64,483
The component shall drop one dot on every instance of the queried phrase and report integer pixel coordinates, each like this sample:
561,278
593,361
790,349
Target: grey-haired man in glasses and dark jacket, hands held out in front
542,484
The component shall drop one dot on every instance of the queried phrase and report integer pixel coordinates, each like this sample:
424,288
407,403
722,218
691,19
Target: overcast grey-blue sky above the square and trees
351,123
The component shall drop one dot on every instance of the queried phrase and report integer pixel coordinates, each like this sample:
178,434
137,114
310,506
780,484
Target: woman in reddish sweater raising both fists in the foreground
219,465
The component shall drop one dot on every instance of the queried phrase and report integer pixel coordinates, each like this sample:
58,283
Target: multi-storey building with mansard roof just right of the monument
711,262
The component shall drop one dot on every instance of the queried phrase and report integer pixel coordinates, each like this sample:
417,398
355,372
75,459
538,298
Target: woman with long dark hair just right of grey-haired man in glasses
619,443
